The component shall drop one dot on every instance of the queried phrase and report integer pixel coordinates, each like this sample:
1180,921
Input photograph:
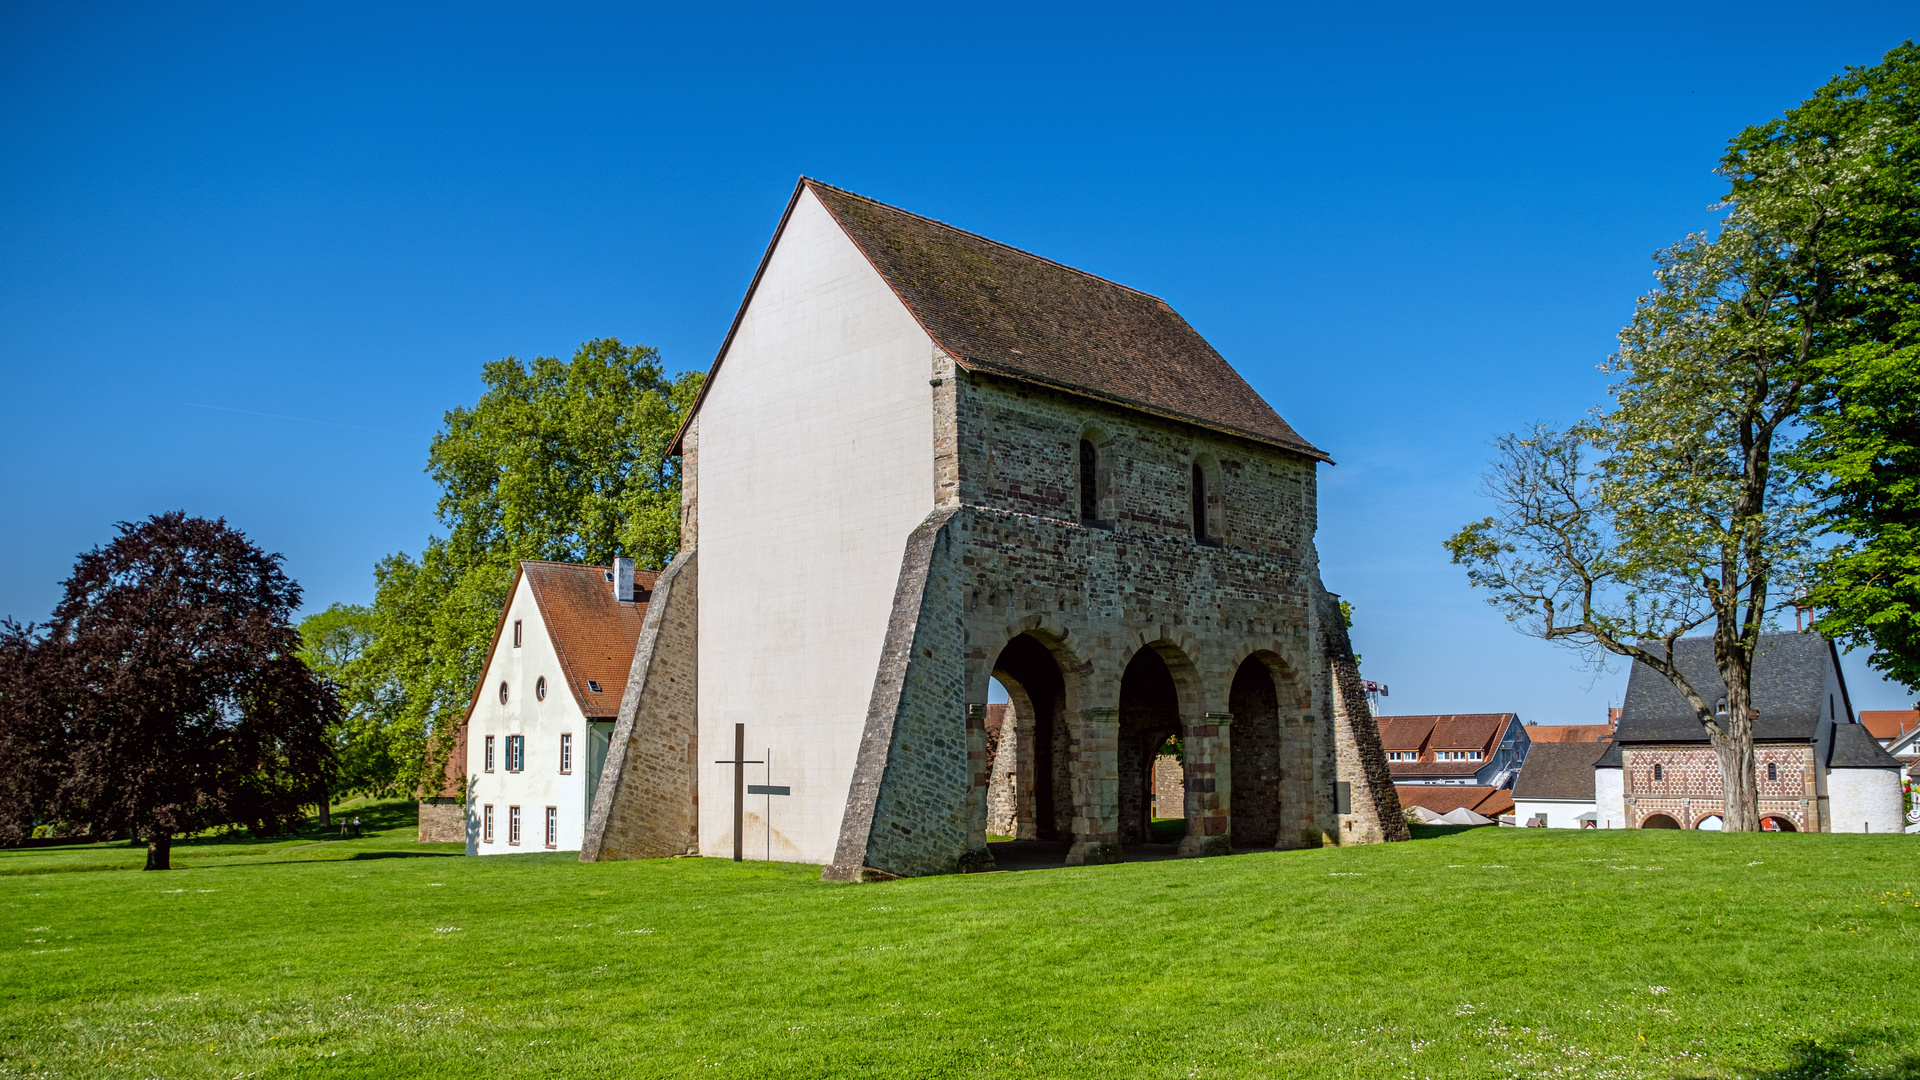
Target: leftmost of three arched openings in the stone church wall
1032,750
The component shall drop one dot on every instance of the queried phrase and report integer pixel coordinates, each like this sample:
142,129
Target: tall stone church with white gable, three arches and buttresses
924,460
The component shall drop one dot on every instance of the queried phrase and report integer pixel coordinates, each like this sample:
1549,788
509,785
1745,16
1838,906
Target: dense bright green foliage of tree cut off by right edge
1863,447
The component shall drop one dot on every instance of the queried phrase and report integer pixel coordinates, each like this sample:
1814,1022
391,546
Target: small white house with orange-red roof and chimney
542,714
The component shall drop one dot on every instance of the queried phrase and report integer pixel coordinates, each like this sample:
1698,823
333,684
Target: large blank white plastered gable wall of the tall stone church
815,466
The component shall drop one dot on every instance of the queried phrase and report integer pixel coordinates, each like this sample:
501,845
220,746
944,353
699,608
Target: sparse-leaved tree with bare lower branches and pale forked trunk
1671,510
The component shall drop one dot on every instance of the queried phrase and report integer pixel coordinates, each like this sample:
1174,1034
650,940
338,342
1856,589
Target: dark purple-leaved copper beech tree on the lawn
168,693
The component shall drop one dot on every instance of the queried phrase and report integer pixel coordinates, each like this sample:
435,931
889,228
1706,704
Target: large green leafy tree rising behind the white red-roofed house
560,460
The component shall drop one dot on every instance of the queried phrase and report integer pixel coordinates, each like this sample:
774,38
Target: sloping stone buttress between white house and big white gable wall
648,800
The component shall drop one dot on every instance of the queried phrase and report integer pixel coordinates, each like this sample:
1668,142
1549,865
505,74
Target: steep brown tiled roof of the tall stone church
1005,312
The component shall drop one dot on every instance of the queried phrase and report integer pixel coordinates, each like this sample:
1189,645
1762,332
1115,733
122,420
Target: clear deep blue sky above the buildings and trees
251,253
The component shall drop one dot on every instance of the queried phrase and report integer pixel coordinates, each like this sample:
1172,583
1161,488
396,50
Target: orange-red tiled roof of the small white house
592,633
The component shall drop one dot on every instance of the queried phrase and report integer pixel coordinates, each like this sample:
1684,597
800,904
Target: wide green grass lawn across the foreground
1493,952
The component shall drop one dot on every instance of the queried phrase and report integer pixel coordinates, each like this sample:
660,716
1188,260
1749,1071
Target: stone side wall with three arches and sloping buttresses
1013,556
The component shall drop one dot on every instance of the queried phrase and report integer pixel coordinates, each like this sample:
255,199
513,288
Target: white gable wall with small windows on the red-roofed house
540,785
